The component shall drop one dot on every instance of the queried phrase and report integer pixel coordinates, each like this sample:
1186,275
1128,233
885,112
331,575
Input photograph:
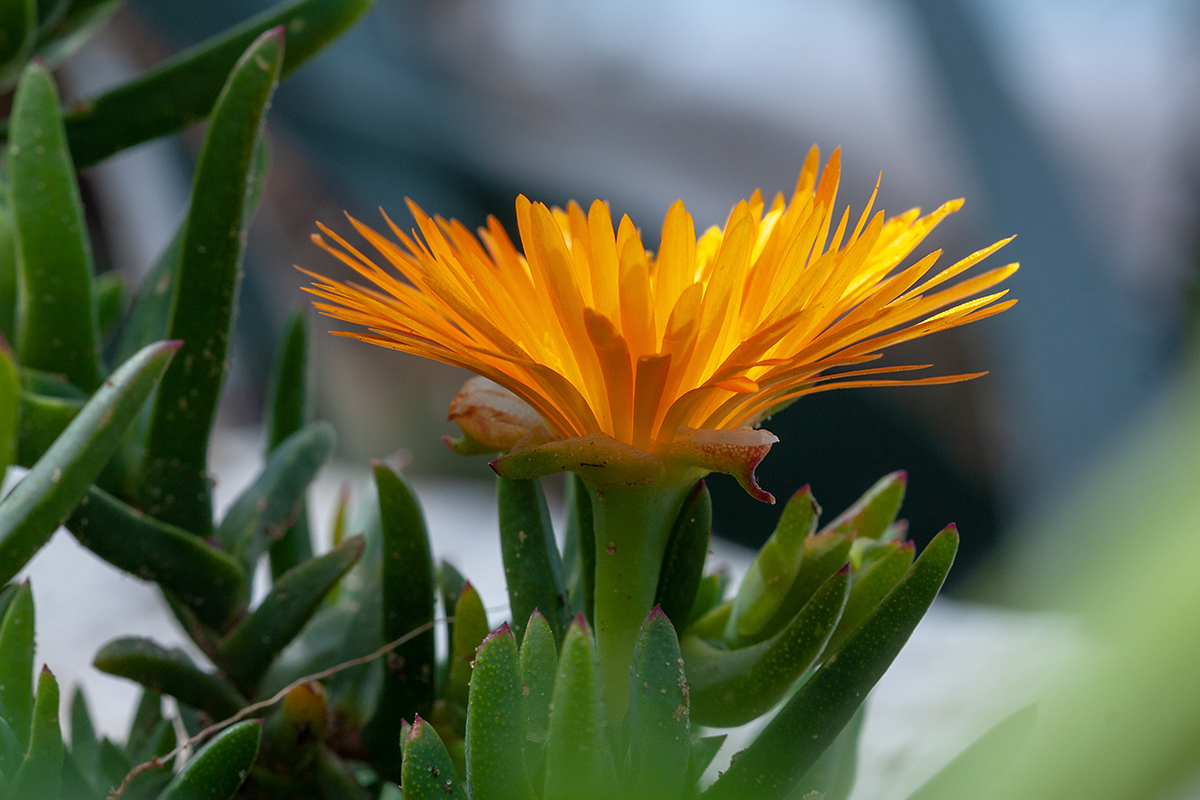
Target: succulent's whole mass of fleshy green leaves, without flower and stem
332,687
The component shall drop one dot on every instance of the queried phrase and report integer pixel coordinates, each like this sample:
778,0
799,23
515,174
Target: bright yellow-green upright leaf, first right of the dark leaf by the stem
775,569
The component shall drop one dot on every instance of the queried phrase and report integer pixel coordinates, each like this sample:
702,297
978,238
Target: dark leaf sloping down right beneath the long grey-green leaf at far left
209,582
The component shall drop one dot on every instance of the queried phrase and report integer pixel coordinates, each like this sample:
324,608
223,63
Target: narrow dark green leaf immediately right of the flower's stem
683,564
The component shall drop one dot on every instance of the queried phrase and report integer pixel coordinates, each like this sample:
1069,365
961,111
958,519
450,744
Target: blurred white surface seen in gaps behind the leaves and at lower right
964,670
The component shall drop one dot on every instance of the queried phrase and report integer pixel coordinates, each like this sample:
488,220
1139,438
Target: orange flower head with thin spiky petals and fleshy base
614,362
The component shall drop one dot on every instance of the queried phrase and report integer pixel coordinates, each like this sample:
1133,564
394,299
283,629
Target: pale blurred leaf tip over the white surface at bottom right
982,766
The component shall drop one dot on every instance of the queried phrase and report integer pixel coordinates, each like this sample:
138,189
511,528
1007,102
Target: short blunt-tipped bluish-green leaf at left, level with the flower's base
266,510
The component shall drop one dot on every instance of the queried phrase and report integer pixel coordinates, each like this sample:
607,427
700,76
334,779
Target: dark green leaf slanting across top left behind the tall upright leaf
183,91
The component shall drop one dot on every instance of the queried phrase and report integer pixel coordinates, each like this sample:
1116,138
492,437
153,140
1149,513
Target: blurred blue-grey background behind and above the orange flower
1073,124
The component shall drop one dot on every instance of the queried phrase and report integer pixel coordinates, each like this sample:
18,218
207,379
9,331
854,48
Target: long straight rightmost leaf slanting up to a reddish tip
796,738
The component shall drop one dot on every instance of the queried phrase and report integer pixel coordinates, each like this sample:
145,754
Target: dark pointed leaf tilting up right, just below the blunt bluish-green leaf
253,646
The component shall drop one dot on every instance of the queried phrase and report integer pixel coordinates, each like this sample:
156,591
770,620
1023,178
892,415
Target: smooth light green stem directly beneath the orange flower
633,525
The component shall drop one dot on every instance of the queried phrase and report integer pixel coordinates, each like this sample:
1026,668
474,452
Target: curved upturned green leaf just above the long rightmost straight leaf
731,688
